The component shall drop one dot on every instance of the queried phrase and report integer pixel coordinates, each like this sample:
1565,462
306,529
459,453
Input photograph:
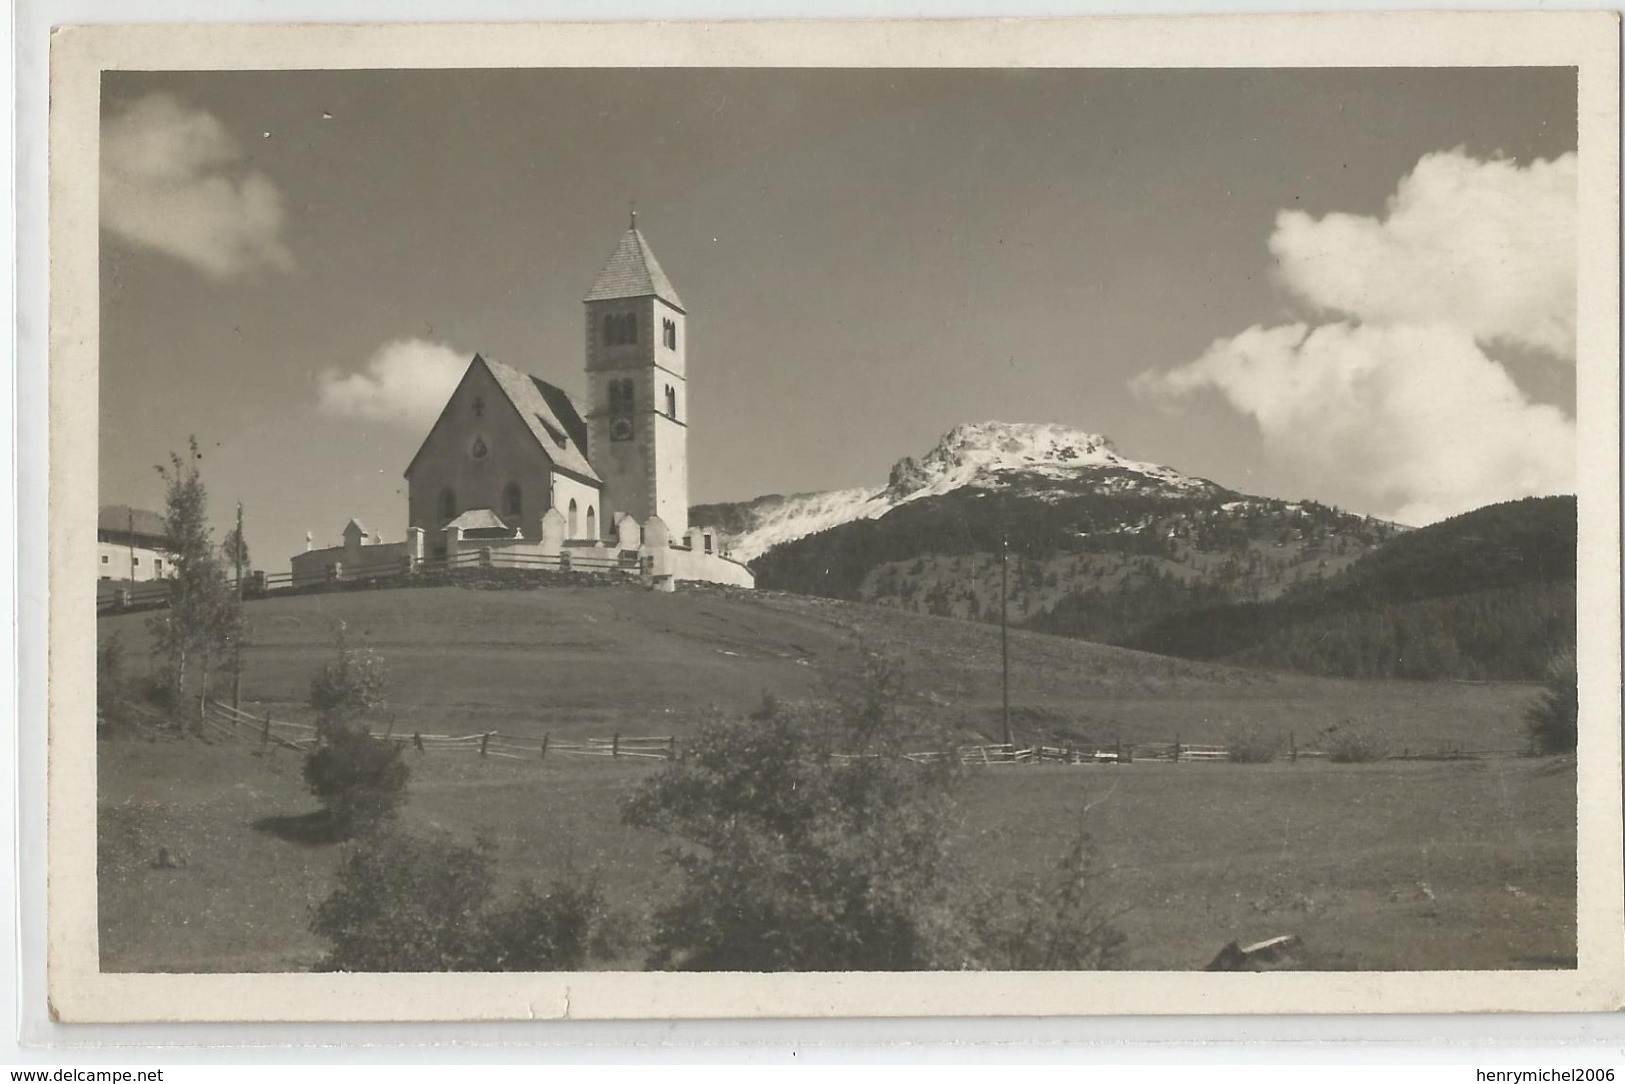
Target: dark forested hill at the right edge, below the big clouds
1489,594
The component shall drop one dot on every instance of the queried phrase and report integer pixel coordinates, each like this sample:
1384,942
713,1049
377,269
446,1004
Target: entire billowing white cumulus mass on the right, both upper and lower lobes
1400,402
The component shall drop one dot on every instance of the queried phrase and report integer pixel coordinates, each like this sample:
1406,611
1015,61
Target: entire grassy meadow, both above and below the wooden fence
1395,865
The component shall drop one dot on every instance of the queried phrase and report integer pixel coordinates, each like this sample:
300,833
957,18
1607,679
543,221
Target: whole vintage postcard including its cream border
836,519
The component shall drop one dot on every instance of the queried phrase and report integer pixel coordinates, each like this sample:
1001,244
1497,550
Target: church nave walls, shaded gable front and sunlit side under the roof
480,482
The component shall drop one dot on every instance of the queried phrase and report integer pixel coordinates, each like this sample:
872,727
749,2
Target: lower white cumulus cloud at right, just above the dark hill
1415,417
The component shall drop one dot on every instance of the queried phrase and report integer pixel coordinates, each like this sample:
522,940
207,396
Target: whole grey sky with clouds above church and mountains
1345,285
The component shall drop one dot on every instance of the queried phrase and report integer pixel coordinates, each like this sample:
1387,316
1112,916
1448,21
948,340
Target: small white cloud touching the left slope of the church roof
405,383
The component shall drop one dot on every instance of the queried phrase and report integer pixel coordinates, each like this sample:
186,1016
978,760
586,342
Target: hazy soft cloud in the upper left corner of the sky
173,180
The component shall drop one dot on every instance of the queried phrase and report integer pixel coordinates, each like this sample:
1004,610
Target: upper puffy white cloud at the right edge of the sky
1484,246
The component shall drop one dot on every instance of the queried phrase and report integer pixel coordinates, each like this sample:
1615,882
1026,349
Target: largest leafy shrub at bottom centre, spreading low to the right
807,843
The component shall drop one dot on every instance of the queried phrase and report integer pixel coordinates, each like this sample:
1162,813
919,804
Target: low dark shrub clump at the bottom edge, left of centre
427,904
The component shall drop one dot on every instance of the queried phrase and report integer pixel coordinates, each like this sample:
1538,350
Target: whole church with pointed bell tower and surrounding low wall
524,474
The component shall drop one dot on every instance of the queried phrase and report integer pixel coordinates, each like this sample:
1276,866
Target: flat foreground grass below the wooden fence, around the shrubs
1455,865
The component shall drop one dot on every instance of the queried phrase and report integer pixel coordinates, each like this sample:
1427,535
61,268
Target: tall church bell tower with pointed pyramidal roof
638,391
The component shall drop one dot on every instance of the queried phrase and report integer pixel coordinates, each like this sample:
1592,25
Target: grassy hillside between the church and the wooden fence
597,661
